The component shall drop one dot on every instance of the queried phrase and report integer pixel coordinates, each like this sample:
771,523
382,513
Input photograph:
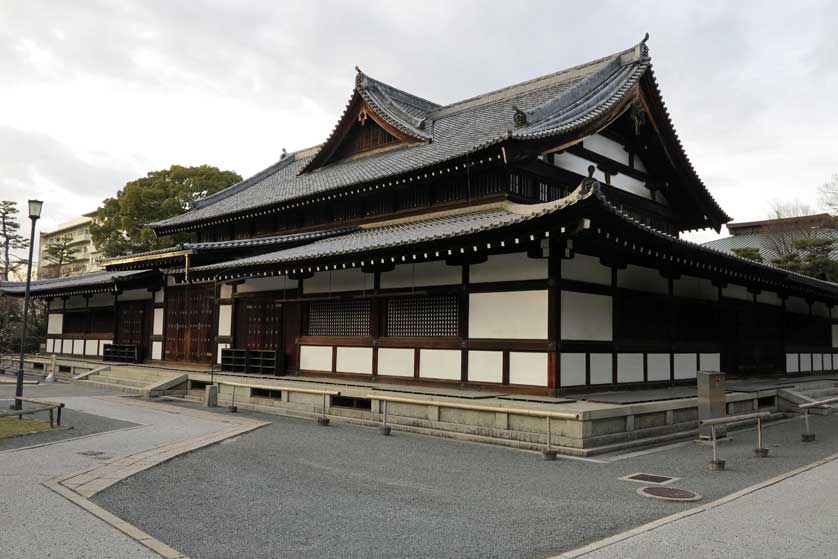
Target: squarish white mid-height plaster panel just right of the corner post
586,316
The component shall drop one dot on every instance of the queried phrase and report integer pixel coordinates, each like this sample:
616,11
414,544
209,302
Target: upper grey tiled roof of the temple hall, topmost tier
552,105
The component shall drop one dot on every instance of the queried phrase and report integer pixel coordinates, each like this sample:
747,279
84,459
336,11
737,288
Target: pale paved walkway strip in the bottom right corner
795,517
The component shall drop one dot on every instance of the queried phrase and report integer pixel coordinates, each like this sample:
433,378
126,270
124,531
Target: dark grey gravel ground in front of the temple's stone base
293,489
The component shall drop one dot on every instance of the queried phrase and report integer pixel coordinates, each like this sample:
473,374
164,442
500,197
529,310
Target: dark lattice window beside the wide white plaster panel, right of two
437,315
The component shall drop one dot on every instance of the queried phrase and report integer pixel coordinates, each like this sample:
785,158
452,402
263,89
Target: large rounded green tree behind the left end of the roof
121,223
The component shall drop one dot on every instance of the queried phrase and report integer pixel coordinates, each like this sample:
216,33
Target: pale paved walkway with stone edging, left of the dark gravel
39,521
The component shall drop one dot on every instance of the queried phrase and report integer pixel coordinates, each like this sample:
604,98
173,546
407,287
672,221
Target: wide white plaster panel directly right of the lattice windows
508,315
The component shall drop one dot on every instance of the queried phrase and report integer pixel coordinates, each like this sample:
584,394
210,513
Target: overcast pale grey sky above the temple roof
96,93
